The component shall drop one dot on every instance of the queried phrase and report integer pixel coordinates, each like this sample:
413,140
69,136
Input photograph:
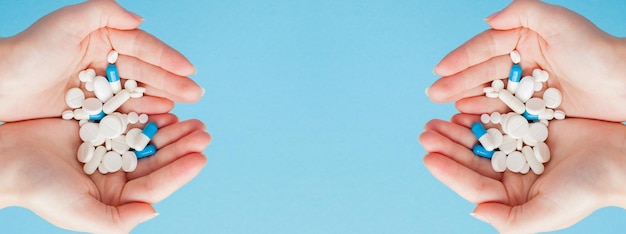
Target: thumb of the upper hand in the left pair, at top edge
82,19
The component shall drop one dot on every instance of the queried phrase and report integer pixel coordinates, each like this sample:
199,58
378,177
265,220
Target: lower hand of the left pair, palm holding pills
39,171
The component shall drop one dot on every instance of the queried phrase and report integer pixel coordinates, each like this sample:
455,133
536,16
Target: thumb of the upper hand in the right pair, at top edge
545,19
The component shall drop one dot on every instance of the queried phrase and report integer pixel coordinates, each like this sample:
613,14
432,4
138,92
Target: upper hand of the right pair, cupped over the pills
585,63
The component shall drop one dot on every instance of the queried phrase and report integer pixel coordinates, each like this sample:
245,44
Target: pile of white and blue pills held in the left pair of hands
109,142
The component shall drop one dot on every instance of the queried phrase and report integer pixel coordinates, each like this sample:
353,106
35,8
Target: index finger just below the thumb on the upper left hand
151,50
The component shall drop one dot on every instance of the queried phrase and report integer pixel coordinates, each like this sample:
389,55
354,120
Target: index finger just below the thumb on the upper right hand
484,46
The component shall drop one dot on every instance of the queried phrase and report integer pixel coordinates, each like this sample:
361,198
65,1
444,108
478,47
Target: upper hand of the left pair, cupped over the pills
43,61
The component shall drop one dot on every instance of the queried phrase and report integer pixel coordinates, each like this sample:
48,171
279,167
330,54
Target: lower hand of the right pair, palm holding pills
584,174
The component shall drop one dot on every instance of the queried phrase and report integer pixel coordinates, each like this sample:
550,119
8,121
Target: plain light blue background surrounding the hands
315,108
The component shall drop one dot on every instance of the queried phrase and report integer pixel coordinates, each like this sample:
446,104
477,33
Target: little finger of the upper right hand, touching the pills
480,105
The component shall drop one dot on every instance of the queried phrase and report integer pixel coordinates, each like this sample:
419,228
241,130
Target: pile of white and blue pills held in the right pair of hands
519,144
